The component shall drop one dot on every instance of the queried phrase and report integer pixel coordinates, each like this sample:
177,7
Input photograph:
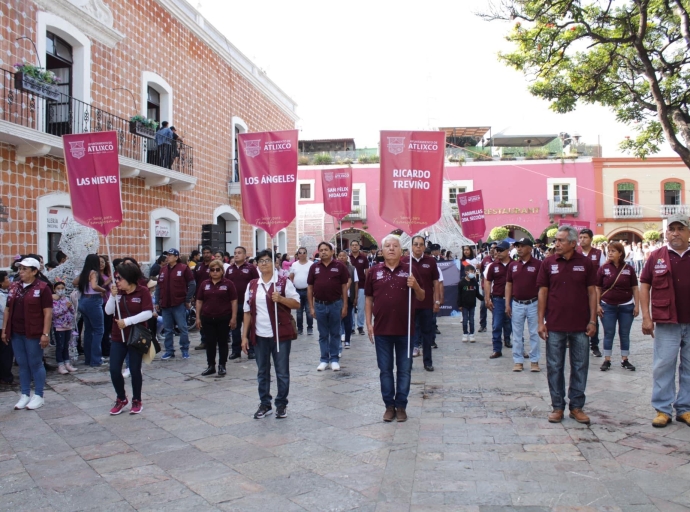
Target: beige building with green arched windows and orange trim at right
634,196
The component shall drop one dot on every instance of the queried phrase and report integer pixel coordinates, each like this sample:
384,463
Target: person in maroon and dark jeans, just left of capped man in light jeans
496,275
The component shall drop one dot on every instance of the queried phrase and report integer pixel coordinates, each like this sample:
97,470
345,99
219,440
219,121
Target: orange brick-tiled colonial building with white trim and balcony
118,58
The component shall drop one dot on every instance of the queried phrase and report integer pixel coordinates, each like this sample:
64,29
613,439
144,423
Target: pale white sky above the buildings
358,67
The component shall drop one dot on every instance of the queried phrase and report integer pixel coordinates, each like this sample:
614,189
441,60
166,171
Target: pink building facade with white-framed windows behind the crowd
526,196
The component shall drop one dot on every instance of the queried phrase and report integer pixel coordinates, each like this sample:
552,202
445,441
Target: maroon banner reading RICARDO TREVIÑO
411,179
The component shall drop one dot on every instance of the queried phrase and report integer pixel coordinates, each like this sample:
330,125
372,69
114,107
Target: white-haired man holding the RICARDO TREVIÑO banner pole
387,292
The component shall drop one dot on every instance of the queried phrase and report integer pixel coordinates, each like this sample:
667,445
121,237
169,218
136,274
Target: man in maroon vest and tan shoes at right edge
665,285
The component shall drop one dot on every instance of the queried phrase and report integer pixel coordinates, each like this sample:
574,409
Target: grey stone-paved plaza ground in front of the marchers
477,439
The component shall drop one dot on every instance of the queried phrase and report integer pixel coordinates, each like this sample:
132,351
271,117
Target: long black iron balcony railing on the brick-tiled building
69,115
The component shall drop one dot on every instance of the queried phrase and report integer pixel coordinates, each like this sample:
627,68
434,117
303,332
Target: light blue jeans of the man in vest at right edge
669,341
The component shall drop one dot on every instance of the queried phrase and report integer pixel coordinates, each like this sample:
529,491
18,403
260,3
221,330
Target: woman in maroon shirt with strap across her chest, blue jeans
618,300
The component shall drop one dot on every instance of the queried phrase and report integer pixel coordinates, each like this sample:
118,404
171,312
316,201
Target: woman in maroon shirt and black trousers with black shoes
216,306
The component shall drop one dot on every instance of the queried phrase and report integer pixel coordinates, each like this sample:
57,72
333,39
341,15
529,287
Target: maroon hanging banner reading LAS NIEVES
93,173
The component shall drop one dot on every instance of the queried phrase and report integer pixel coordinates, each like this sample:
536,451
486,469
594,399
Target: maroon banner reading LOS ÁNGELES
268,178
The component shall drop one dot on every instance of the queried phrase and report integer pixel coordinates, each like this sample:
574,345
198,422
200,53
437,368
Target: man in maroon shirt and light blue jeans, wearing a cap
521,304
